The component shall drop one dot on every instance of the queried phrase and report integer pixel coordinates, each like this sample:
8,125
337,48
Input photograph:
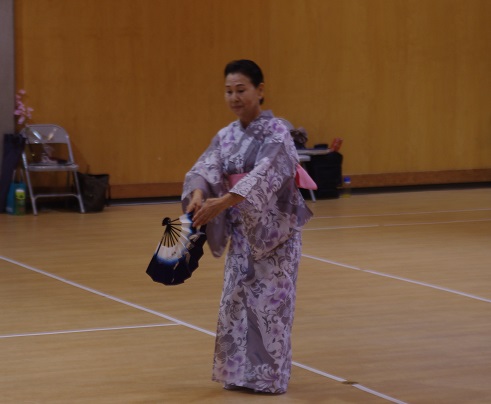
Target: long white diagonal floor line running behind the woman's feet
178,322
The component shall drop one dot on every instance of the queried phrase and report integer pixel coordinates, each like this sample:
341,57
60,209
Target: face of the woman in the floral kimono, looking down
242,97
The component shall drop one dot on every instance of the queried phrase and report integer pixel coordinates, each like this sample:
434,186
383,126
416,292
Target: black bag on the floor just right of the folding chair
95,191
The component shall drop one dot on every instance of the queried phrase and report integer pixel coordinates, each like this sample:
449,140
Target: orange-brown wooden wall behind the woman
139,86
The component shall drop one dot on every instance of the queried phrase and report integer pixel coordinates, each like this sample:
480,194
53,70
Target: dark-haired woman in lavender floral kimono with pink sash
243,187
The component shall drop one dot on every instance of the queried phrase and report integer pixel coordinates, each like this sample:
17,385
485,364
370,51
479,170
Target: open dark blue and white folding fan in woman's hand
178,252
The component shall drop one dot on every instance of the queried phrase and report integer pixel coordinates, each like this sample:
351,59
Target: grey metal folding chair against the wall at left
42,143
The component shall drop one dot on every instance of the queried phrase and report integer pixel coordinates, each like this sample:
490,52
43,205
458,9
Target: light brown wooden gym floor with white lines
394,305
